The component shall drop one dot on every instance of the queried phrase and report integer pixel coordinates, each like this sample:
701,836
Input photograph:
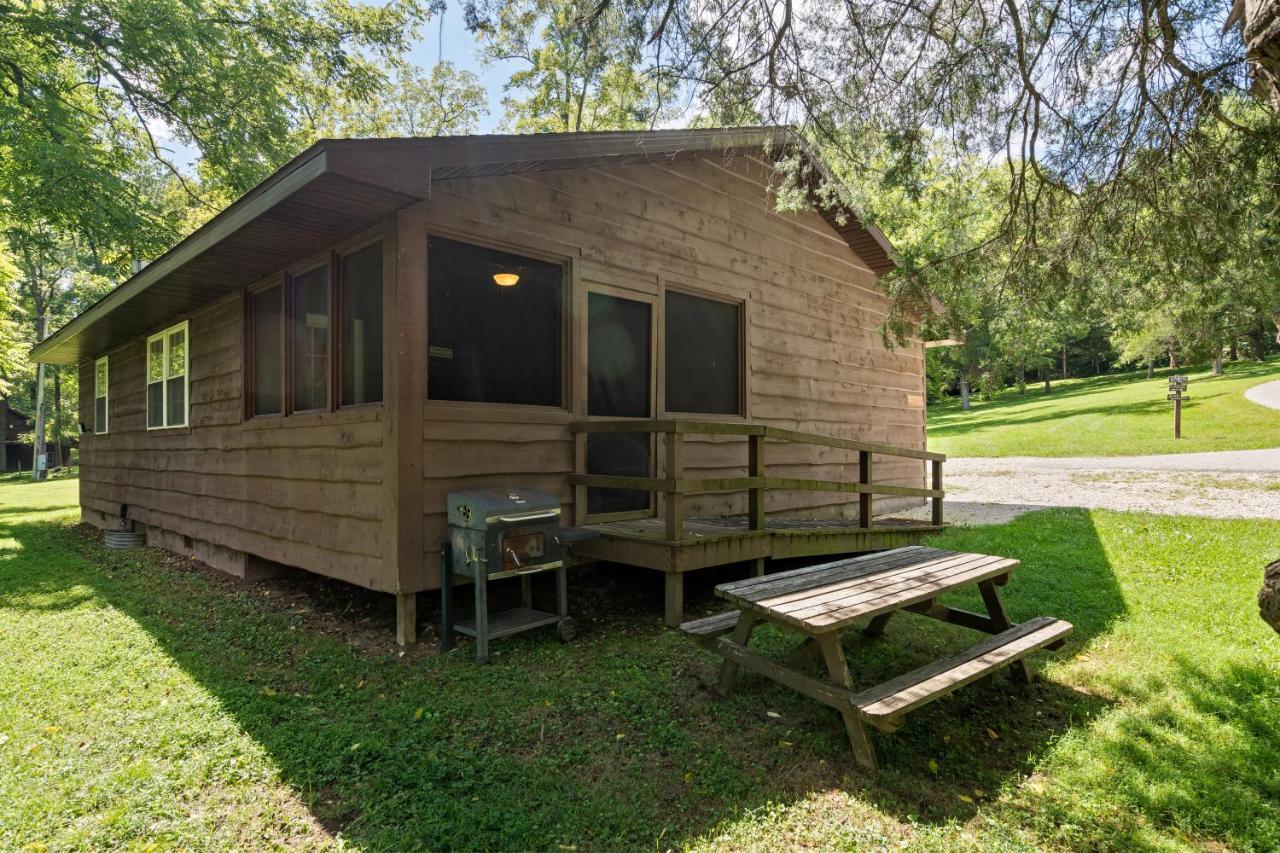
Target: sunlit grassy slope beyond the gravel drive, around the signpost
1119,416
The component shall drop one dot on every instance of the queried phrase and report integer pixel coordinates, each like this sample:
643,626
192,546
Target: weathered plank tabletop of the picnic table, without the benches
825,599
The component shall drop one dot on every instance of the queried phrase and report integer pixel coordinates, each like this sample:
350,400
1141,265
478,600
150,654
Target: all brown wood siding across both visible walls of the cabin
310,490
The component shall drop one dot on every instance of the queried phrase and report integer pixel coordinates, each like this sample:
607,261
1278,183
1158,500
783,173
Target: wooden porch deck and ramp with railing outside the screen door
675,544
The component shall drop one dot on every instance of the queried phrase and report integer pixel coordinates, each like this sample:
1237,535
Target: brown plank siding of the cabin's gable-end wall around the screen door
815,359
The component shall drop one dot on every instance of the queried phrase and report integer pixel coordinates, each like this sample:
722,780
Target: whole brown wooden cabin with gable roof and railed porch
624,321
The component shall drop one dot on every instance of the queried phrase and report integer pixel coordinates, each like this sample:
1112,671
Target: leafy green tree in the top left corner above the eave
86,88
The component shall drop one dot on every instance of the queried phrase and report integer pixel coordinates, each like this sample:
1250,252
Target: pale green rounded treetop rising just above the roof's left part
445,102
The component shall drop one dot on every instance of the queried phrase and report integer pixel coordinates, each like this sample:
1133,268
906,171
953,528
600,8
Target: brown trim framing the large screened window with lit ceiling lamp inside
548,253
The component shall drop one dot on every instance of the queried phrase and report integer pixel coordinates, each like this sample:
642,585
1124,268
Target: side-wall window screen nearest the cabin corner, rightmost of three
362,300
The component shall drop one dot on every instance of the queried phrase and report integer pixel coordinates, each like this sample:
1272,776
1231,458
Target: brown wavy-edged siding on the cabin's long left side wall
305,491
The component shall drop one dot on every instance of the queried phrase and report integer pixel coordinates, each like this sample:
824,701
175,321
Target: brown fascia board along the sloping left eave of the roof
213,232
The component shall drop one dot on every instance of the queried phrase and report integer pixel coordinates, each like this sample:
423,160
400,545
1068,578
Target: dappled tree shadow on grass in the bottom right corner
1194,751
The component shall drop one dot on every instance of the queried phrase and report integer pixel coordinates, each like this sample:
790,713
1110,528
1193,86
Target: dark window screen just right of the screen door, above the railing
705,355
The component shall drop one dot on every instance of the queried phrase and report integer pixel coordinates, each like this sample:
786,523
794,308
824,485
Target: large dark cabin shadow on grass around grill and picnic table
615,740
